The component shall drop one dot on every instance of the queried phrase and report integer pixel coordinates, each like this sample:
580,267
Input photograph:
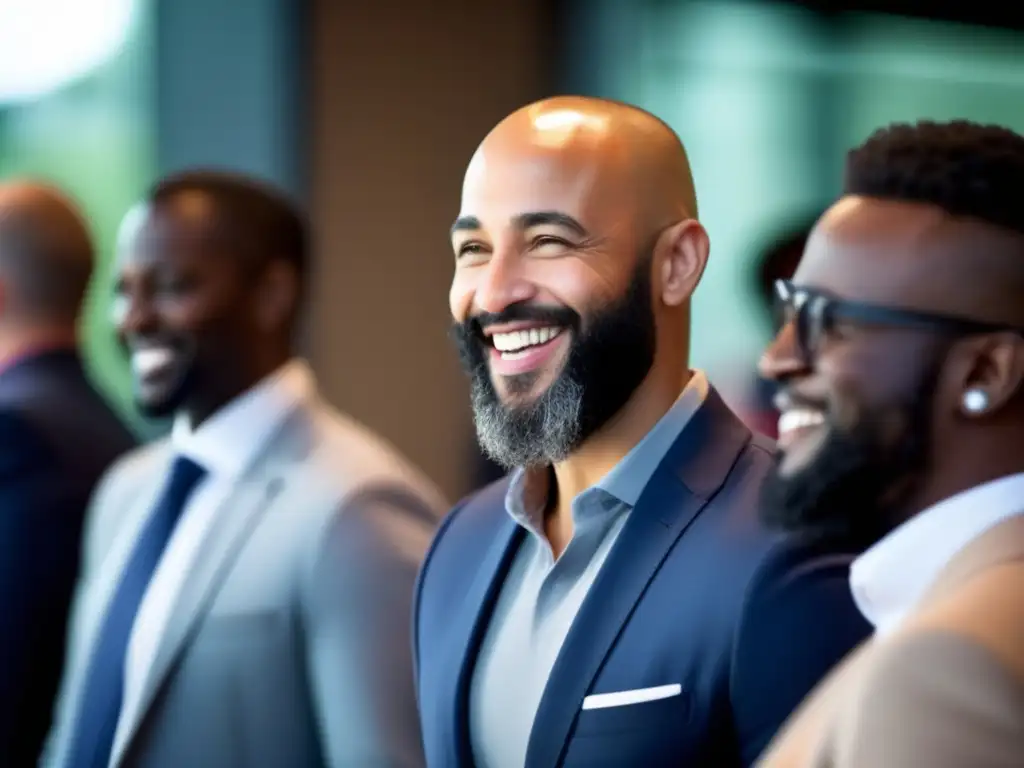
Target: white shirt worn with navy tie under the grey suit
226,446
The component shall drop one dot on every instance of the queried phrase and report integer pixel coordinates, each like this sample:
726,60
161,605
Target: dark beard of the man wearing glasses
855,491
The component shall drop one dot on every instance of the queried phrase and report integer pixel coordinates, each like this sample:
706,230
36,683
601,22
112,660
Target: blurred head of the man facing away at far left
47,254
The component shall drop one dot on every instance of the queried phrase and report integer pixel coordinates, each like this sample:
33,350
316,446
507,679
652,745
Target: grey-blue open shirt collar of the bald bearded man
527,497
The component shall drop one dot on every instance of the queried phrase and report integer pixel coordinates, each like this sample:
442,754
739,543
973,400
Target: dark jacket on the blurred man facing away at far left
58,437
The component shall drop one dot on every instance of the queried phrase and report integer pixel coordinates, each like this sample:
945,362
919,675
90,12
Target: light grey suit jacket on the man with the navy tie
289,645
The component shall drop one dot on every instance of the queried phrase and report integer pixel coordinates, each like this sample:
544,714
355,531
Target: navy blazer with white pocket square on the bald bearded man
696,592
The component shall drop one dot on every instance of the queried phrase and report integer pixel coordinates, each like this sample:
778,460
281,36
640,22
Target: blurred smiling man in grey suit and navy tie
247,583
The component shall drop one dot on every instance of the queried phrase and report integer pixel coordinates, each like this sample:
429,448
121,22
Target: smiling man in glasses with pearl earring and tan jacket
902,368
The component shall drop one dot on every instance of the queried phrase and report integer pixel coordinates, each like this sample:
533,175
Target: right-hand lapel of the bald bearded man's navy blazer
695,468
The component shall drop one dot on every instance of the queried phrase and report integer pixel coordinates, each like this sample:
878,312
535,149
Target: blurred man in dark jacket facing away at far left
57,438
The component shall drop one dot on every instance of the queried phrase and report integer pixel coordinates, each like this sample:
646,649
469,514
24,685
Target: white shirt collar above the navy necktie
230,441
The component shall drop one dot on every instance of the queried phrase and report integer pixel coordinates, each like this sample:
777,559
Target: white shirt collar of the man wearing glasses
889,580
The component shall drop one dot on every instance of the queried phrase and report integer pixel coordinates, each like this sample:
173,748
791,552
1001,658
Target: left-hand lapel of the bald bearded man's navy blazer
468,625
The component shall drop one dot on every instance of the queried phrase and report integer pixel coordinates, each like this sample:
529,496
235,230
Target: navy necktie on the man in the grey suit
98,720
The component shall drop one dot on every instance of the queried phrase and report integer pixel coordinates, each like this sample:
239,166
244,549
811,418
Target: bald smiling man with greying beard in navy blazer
616,602
